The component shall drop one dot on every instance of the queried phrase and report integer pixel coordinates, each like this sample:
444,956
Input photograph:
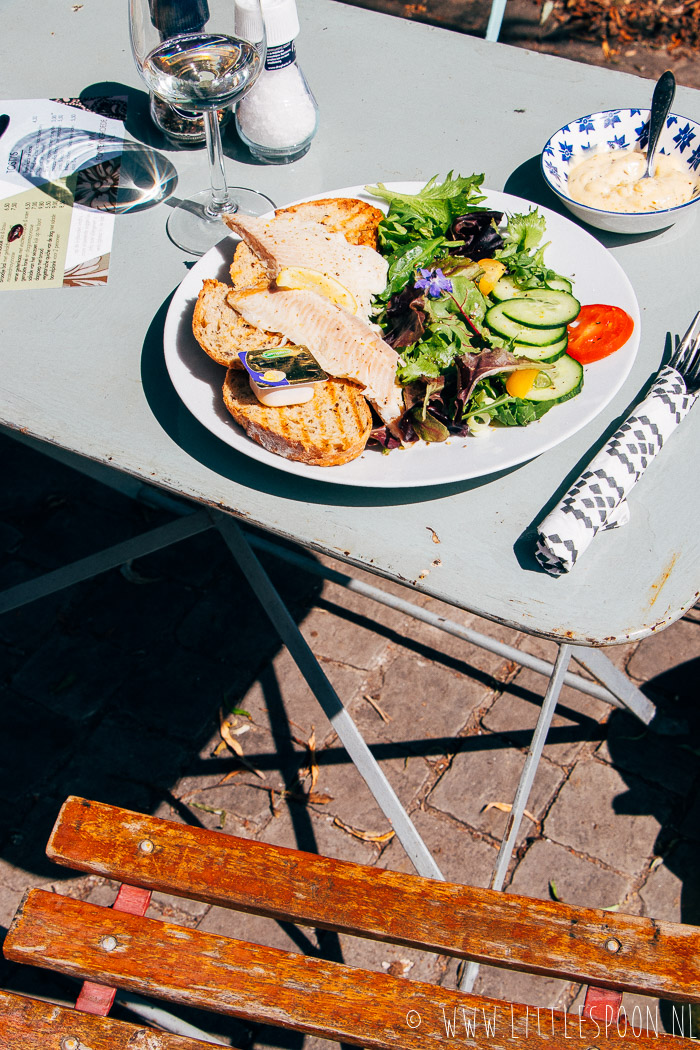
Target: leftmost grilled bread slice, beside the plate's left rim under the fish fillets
221,331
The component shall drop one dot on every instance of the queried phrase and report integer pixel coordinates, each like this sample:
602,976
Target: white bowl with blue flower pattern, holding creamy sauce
621,130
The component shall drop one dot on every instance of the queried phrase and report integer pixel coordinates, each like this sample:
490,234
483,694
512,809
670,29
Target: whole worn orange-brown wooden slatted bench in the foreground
118,948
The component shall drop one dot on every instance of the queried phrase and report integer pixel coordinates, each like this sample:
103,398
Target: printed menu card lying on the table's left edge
59,180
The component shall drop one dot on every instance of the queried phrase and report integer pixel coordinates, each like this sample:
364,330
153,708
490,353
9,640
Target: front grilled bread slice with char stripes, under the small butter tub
330,430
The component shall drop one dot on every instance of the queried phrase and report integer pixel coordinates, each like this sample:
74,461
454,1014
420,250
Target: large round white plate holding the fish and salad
572,253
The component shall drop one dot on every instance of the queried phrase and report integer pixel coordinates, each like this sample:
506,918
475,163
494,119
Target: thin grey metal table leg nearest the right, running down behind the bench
524,788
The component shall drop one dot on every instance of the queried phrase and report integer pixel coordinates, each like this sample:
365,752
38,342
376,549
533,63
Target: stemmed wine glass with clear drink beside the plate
202,56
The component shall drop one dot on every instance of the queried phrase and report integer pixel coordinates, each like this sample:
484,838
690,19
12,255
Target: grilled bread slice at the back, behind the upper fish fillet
356,220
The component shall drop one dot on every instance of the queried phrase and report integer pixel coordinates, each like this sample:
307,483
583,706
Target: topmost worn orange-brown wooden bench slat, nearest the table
540,937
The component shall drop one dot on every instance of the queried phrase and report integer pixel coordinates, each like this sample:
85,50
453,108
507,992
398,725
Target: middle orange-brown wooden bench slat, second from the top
267,985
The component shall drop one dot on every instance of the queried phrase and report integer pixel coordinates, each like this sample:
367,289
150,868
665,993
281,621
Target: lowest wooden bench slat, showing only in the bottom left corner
33,1024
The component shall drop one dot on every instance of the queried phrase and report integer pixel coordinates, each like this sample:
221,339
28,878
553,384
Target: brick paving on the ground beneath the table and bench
113,690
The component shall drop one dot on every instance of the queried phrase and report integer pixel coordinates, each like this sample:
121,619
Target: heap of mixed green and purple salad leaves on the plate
431,272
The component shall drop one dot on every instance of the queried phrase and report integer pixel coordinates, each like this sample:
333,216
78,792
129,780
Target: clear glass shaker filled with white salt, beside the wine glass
279,118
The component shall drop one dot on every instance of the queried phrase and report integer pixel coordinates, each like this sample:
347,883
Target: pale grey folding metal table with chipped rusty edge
83,374
